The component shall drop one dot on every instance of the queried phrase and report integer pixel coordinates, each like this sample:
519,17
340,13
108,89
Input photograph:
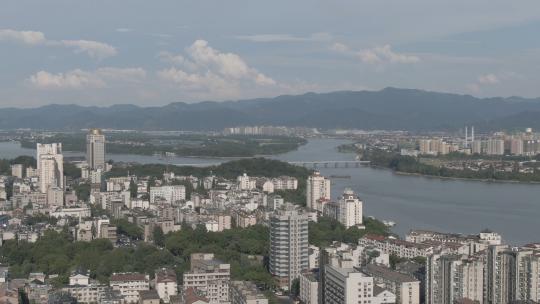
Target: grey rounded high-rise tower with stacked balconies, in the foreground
289,248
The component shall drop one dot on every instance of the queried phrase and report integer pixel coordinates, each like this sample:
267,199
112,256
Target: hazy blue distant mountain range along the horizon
390,109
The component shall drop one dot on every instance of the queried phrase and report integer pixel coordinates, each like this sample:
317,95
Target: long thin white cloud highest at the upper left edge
94,49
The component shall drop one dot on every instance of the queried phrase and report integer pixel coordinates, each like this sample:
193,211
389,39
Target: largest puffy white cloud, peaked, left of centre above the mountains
206,69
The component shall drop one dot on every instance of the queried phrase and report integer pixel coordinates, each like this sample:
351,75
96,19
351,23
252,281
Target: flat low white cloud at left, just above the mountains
80,79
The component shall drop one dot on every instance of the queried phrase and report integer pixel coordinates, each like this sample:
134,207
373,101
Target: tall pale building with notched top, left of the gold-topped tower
50,163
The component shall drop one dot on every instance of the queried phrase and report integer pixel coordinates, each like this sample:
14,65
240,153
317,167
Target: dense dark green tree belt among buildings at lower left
57,253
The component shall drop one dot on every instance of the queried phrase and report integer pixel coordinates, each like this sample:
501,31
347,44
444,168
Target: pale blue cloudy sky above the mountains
104,52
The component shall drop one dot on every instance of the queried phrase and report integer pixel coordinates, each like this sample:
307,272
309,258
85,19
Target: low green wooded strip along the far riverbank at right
412,165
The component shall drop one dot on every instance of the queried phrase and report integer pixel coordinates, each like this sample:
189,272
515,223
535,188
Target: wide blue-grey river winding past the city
412,202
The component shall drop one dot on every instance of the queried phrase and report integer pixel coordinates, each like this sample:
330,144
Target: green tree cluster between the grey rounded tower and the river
327,230
